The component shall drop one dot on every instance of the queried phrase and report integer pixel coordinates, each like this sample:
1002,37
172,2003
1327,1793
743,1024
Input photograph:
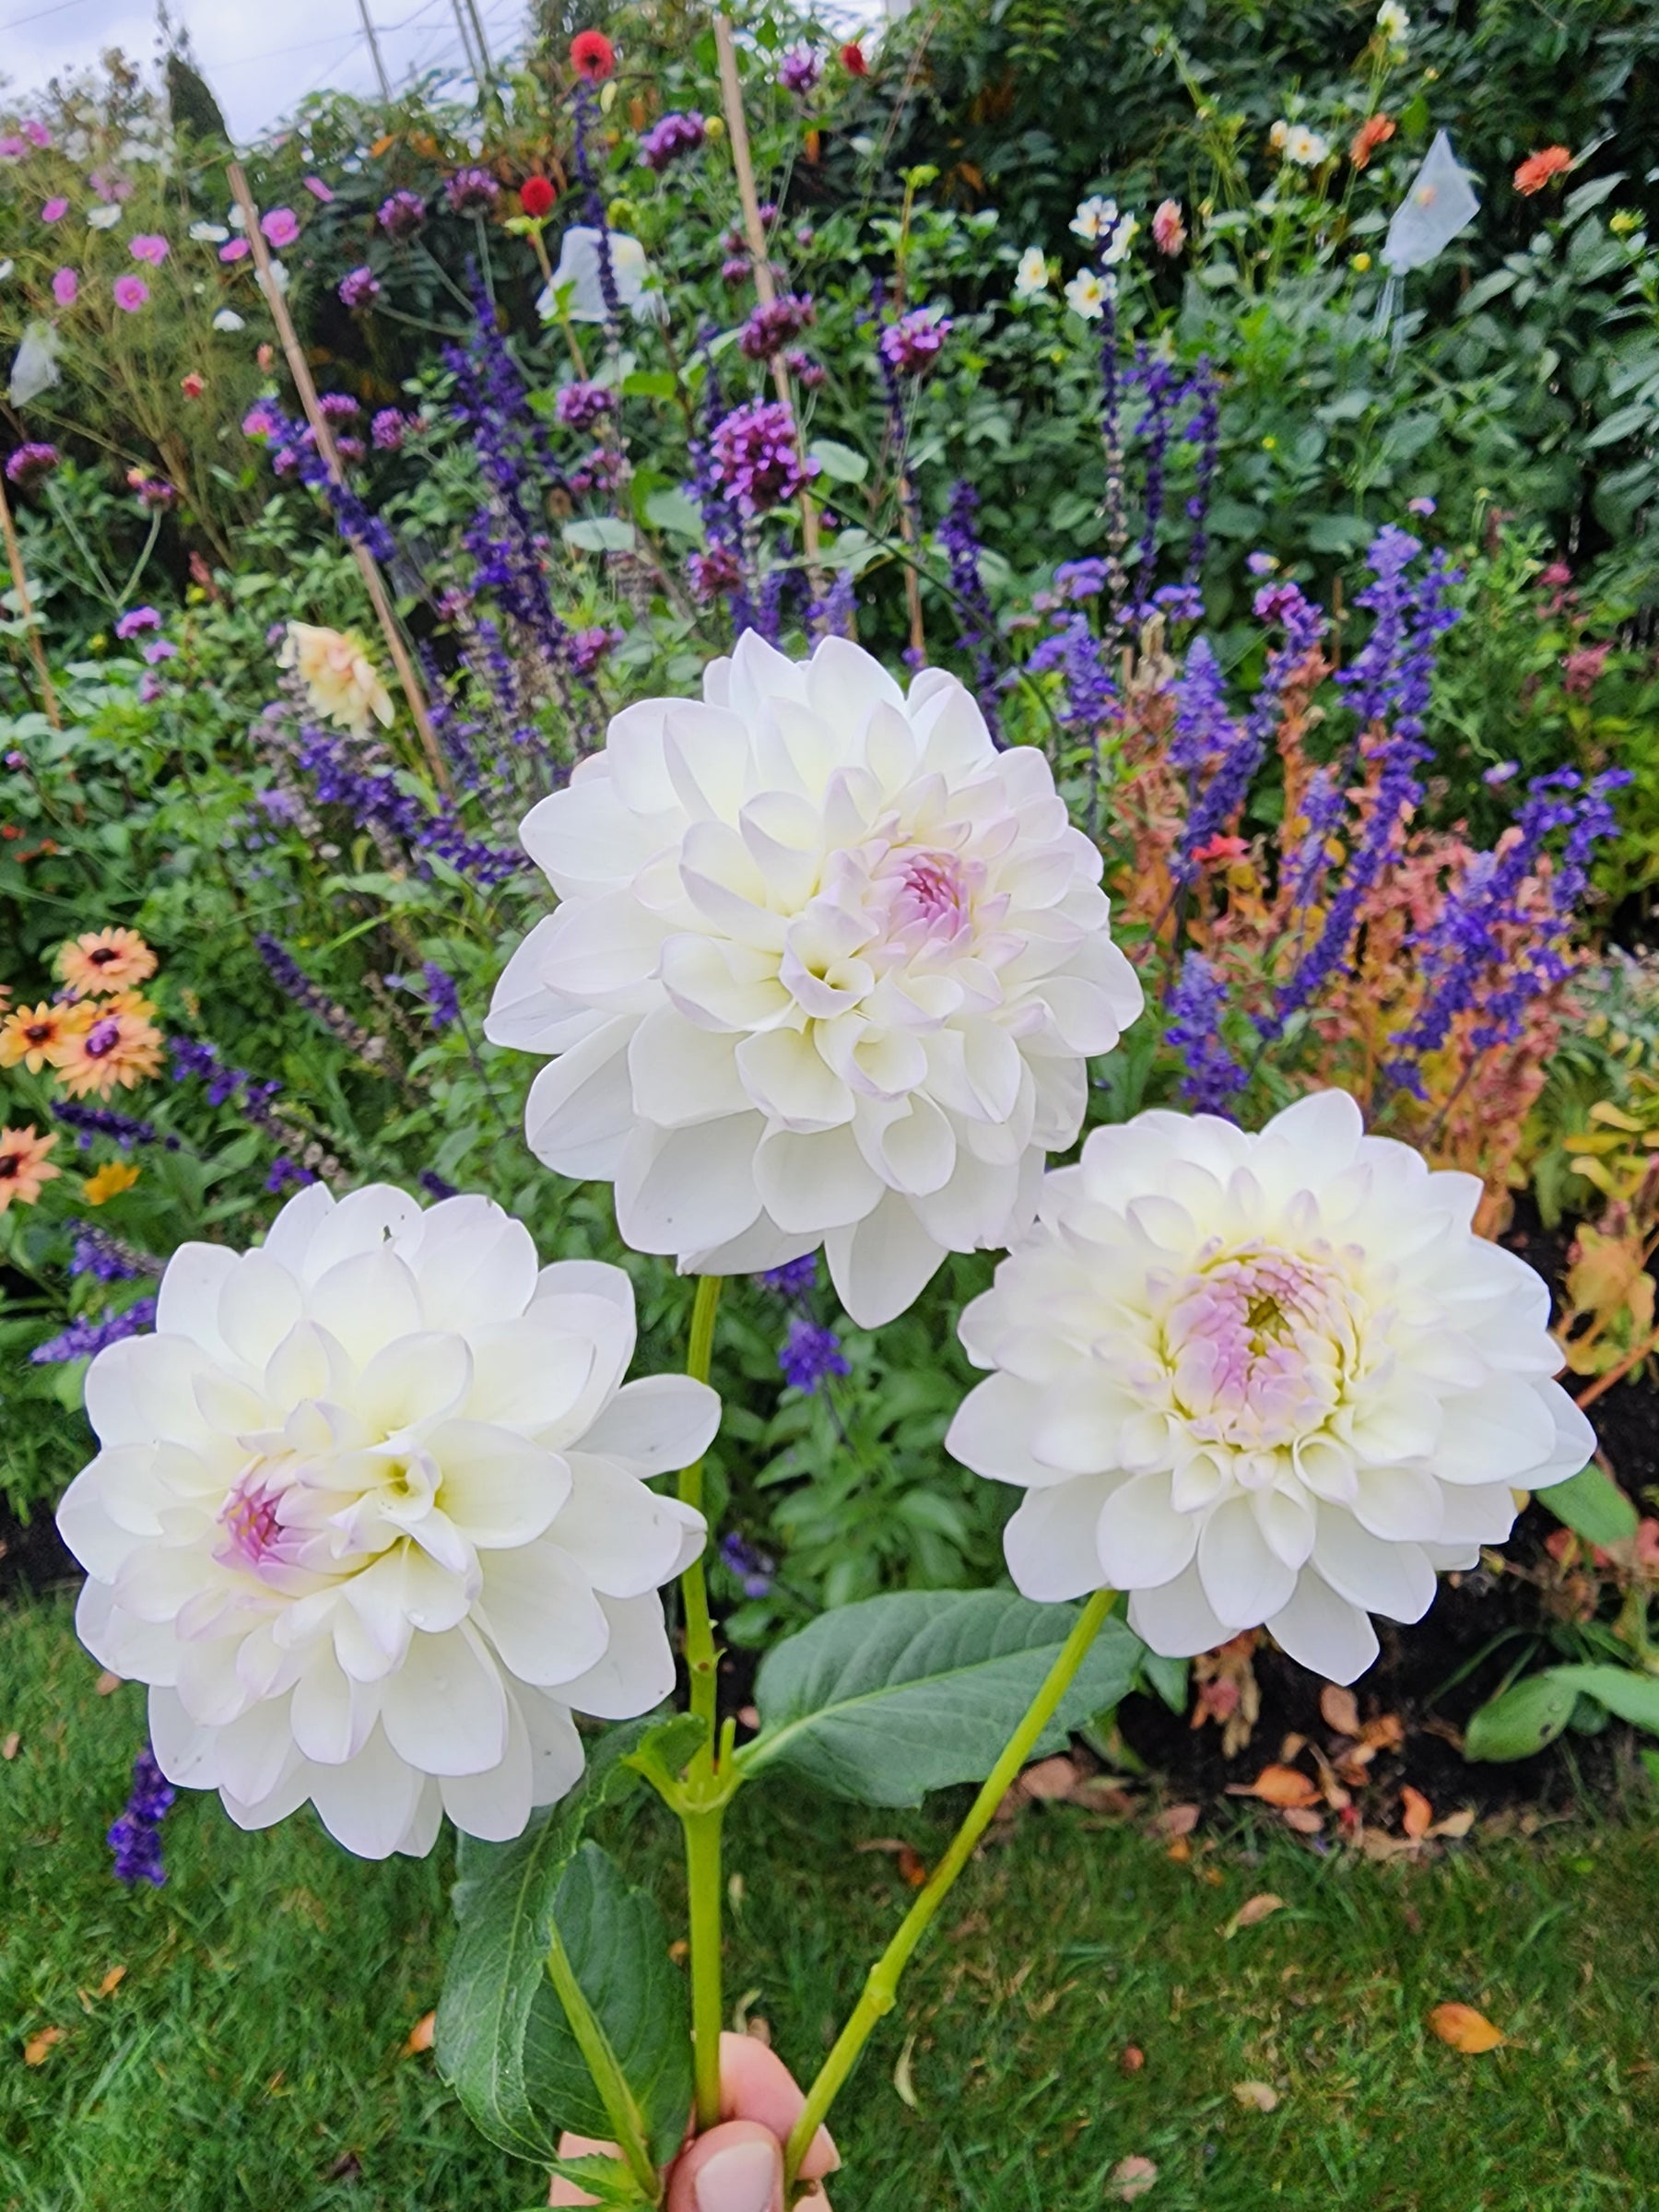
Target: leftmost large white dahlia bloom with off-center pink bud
371,1519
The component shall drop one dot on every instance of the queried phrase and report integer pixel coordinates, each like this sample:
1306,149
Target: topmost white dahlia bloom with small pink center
824,972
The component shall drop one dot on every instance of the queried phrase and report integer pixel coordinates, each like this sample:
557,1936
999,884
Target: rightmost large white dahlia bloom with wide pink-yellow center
1262,1381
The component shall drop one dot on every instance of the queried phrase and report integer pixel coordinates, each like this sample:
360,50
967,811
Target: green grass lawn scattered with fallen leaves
253,2049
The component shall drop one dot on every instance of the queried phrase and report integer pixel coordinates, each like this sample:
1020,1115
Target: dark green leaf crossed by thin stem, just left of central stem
618,1948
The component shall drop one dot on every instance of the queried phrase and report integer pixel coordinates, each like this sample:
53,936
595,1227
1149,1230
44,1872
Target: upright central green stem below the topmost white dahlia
705,1788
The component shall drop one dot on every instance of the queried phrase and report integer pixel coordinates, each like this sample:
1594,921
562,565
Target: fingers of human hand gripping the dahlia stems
738,2164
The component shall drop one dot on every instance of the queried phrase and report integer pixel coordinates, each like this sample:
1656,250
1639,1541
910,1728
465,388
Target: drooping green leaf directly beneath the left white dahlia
499,1968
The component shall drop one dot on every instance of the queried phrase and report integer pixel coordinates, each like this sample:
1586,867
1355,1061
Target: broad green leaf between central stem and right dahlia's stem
908,1693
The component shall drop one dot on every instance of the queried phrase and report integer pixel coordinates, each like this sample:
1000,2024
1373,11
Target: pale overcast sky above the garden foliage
262,61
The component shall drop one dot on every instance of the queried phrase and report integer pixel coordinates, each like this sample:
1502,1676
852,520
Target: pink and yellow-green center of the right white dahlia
1258,1346
